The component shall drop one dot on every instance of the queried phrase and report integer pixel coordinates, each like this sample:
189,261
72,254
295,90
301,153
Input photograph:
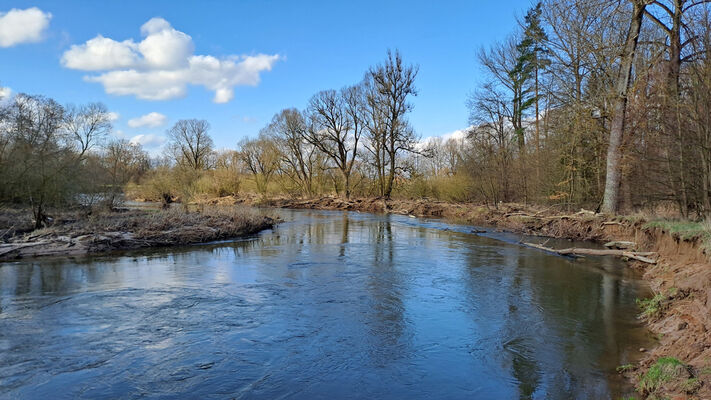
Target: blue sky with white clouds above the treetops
237,63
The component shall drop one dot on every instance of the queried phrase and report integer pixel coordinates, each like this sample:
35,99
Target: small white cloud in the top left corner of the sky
23,26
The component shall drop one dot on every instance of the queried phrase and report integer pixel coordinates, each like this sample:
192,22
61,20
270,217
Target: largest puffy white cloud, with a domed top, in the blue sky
162,65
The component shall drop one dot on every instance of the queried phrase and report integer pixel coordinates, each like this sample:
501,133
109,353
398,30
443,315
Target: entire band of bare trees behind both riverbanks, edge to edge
604,105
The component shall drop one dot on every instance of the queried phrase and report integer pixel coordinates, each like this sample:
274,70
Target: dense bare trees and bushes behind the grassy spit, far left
58,156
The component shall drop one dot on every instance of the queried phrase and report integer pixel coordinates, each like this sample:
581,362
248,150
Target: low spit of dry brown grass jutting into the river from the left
79,234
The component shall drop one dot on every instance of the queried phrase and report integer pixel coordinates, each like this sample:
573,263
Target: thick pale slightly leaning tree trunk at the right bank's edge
617,127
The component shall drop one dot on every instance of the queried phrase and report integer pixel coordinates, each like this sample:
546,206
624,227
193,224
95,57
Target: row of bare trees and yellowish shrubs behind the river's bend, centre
356,138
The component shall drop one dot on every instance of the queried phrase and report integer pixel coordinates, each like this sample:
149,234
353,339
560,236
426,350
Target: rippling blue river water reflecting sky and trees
327,305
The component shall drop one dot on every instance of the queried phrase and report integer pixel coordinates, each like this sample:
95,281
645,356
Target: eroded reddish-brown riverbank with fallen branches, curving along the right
679,314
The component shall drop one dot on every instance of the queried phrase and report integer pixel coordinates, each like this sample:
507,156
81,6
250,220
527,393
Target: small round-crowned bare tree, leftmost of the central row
190,143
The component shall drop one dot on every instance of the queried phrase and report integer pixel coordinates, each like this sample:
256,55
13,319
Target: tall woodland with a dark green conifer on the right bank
598,103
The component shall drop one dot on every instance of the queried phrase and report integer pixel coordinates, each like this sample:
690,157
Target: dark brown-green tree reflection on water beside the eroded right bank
575,309
